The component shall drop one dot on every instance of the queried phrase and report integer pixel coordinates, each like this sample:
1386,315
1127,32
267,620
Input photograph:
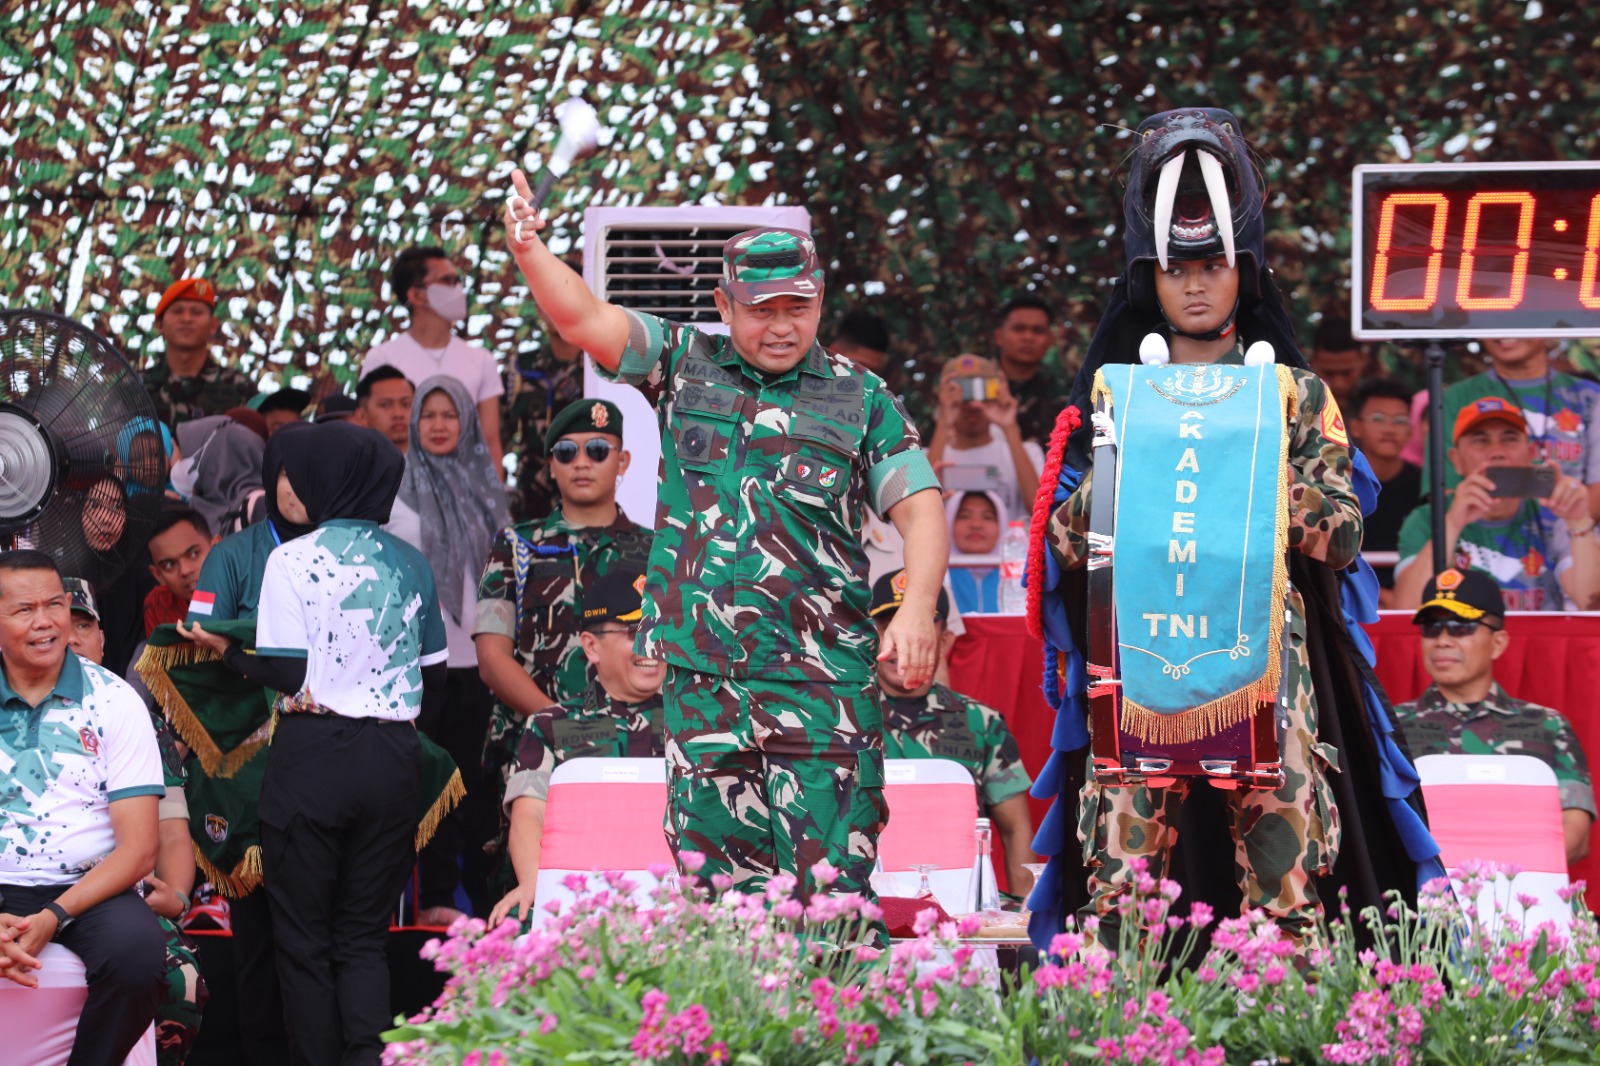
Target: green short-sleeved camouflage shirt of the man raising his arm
758,569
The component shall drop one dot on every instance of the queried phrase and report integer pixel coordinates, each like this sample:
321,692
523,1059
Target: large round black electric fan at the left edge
82,467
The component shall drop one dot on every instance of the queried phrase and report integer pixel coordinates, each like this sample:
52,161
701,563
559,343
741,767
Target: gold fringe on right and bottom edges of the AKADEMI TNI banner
1241,705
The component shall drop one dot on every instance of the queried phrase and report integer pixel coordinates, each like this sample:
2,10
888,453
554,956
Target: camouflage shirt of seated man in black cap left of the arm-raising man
594,727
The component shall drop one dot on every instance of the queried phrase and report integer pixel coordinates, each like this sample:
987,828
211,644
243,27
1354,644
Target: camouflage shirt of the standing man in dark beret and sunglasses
543,628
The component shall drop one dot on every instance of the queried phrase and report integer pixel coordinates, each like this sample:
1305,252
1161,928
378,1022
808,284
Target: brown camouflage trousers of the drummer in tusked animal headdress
1282,840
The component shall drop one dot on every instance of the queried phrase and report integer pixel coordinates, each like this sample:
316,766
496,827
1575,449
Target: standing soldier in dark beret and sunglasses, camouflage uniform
527,615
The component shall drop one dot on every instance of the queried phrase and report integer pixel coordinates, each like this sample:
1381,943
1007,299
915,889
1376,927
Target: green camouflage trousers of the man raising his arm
774,777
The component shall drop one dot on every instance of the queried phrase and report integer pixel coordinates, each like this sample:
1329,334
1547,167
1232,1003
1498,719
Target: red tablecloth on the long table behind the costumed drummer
1553,660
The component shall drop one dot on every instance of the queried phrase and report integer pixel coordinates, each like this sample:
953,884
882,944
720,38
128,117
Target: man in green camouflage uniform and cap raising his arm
758,599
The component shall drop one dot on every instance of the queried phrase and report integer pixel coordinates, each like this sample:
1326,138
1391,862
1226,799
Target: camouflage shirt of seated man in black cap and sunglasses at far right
1500,726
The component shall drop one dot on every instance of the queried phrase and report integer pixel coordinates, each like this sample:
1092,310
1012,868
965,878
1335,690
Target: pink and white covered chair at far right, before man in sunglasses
1508,811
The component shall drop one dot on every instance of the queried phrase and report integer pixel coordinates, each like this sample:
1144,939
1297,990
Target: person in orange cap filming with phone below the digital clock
1524,523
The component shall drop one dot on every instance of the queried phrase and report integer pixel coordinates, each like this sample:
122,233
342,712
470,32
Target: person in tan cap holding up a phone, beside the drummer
977,444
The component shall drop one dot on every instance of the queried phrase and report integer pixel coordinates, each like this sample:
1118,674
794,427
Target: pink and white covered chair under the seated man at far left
38,1025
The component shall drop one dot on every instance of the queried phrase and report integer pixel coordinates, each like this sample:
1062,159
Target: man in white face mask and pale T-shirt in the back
428,286
